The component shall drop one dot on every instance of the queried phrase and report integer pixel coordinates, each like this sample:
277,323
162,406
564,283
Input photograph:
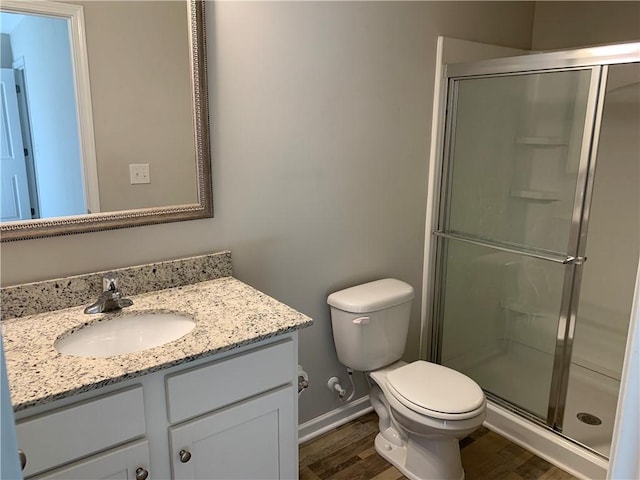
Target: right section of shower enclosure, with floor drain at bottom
608,278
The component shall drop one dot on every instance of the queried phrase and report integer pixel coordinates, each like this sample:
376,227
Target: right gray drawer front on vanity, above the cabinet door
227,381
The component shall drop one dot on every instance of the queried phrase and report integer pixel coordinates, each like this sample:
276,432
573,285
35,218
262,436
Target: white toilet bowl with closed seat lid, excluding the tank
422,442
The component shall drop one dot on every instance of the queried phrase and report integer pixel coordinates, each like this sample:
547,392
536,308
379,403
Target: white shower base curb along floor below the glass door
566,455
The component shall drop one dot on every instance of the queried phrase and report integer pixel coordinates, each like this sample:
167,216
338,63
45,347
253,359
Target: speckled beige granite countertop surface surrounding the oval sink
228,314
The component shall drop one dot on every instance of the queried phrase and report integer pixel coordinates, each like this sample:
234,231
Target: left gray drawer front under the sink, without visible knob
61,436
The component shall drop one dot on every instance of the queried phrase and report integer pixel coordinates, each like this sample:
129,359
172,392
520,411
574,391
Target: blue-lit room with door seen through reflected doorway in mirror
42,173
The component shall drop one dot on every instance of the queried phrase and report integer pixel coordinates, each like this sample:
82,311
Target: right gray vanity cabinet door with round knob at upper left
255,439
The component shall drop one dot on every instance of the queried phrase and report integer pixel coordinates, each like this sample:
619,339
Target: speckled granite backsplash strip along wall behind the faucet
33,298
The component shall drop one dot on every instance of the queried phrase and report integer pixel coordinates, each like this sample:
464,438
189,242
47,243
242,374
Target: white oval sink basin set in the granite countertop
125,334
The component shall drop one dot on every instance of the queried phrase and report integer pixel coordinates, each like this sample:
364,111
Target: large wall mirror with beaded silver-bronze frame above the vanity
136,97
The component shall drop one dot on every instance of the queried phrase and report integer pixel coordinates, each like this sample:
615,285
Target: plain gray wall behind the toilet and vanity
321,114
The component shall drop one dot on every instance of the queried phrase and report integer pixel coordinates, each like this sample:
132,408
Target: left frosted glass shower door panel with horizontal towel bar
514,183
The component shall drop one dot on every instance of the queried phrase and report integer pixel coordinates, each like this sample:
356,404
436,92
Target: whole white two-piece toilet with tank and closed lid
423,408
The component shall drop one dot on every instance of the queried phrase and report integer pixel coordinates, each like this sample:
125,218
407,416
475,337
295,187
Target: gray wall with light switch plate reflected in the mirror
134,123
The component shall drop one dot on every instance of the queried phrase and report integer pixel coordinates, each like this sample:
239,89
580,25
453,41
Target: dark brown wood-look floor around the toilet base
347,453
